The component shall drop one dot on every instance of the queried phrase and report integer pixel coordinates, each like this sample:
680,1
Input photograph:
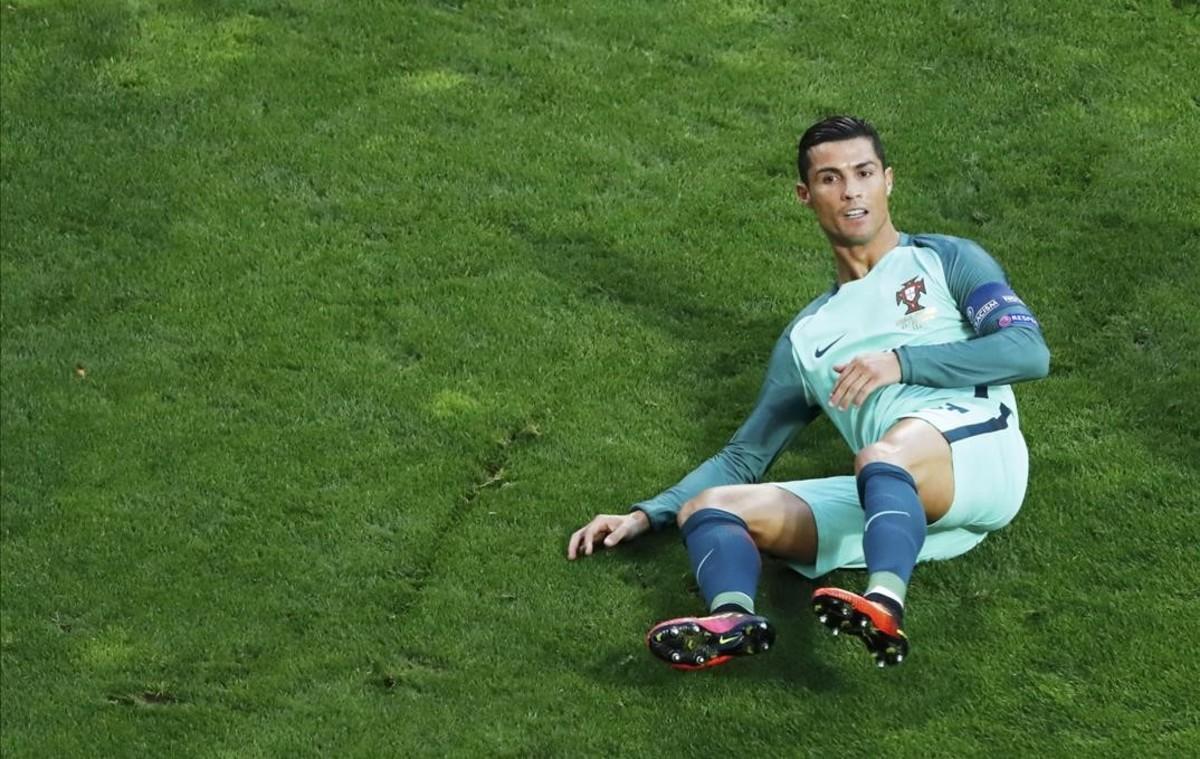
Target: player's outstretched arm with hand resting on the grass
781,411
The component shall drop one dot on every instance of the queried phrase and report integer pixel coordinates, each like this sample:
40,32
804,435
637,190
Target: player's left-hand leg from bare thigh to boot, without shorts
725,529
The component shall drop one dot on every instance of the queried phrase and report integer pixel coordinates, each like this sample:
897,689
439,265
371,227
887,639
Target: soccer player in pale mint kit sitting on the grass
911,355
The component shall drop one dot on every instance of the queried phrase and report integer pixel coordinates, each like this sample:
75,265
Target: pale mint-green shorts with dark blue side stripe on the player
992,469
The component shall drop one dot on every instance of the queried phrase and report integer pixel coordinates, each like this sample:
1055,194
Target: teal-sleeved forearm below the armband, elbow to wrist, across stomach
1004,357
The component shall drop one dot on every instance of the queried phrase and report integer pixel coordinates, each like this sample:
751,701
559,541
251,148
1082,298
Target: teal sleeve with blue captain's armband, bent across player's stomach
1010,346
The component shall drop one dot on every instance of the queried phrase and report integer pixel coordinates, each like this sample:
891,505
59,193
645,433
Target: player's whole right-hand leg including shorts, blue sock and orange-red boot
968,465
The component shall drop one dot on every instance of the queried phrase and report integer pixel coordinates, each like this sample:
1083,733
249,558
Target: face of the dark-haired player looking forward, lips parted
848,189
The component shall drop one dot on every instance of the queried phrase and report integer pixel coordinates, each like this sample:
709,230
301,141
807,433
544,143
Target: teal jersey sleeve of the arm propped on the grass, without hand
781,411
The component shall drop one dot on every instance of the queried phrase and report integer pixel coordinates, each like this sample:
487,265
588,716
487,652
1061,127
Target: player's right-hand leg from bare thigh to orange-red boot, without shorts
905,481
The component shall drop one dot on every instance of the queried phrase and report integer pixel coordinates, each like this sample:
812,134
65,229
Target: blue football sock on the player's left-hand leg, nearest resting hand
724,559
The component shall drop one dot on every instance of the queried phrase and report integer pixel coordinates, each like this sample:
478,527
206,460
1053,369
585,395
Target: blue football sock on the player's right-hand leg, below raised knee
895,530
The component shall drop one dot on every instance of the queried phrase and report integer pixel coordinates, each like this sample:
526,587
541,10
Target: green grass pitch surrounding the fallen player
326,324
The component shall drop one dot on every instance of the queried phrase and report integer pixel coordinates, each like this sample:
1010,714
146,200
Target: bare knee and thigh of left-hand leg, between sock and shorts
781,523
